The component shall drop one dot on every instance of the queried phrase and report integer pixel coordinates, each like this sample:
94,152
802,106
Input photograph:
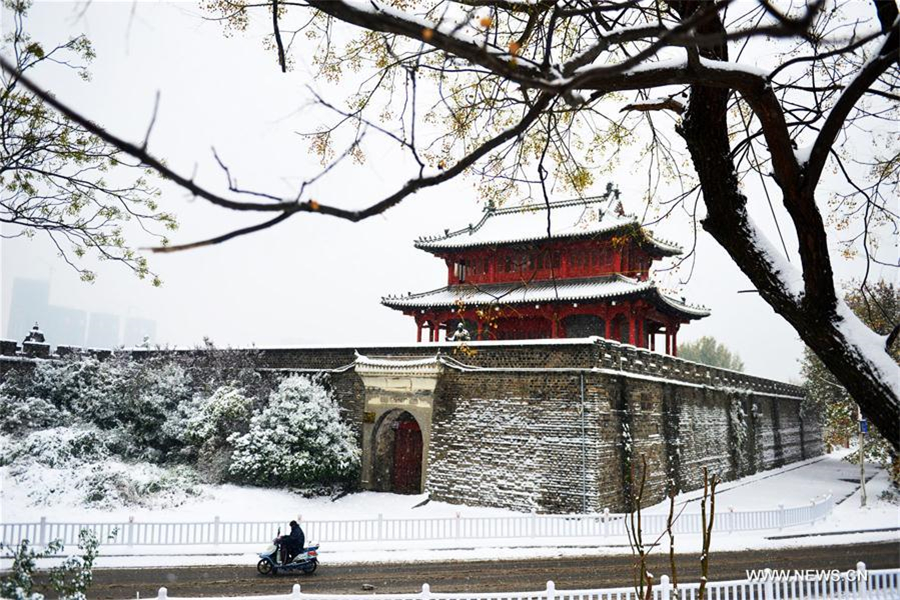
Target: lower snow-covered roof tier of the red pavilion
565,290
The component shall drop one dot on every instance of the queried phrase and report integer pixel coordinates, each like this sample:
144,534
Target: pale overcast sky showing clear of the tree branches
313,279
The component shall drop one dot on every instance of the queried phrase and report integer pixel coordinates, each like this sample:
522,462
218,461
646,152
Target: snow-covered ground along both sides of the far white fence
791,485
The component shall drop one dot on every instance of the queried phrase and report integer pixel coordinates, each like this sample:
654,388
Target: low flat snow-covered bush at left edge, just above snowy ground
57,447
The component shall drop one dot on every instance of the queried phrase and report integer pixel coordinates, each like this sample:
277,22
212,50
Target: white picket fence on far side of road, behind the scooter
380,529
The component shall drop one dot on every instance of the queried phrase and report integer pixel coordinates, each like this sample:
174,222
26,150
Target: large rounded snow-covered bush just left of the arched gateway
299,439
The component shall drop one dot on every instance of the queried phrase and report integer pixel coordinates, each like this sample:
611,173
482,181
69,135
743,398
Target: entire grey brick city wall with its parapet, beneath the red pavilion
561,426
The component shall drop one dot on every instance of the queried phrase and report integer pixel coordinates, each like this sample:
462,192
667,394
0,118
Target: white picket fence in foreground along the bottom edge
852,585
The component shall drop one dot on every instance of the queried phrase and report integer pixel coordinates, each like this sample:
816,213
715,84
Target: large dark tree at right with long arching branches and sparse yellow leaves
523,96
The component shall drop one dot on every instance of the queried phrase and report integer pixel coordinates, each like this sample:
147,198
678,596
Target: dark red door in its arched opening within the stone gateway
398,453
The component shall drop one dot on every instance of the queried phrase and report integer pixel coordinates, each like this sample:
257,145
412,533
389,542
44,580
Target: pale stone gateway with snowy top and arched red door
397,422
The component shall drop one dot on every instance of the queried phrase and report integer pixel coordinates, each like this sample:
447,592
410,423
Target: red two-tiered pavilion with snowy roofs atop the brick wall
573,268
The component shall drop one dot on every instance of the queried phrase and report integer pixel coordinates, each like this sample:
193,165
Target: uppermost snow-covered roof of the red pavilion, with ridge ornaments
579,217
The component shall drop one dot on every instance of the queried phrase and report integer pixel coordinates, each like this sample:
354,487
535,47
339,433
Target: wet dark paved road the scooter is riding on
568,573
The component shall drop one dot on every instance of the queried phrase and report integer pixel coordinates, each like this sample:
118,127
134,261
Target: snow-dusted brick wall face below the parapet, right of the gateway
532,442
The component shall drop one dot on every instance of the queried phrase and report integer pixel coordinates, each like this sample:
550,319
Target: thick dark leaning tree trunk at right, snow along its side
705,129
